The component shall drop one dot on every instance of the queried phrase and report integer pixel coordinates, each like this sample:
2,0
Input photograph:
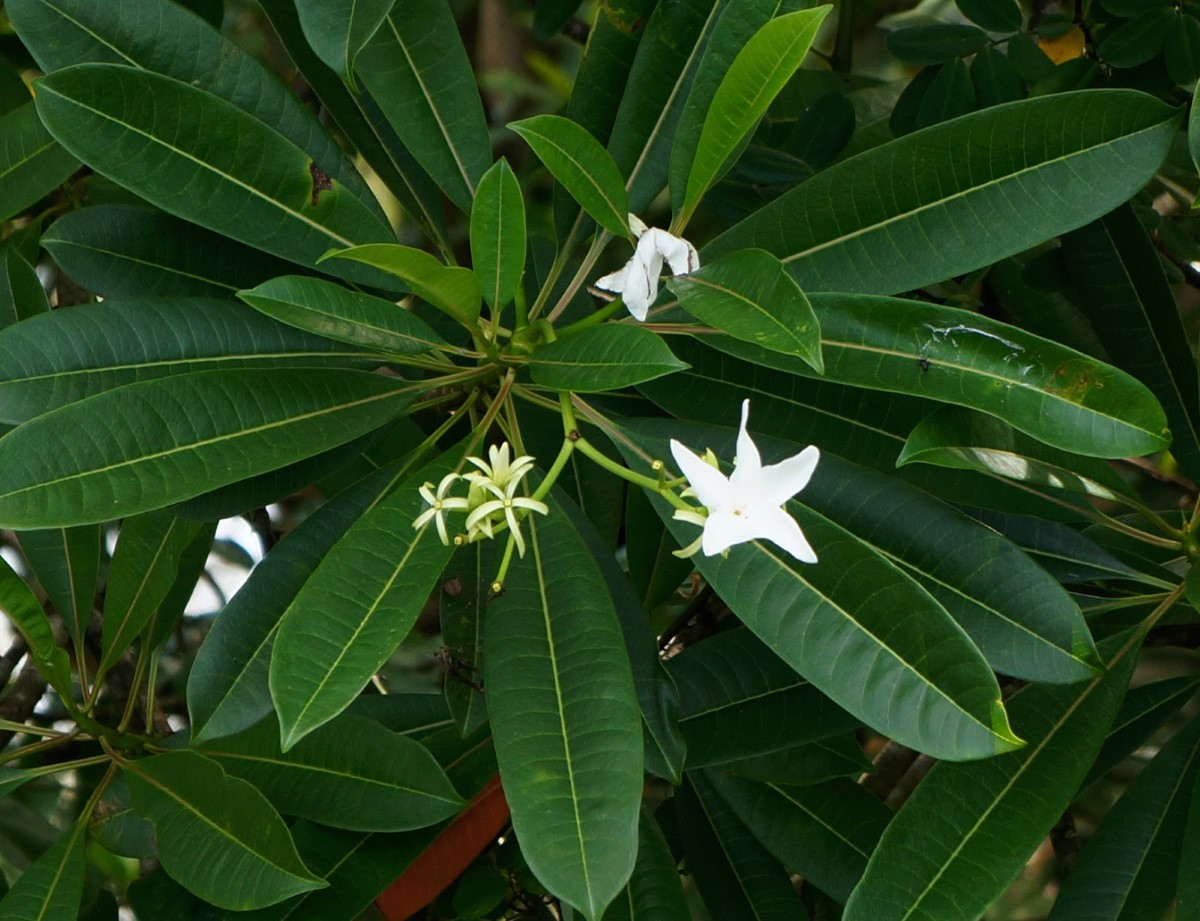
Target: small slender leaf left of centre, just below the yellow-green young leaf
338,314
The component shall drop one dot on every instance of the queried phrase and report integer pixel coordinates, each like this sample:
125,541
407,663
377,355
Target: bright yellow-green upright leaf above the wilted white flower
760,71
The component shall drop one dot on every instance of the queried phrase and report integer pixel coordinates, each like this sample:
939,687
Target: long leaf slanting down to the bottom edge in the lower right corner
970,828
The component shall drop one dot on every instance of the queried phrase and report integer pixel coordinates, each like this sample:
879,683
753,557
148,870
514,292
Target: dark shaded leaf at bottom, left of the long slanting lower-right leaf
824,833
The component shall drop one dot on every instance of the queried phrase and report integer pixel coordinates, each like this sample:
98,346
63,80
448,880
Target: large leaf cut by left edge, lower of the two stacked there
147,446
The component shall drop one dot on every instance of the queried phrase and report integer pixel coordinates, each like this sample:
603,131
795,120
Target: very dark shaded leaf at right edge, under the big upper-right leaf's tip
1125,296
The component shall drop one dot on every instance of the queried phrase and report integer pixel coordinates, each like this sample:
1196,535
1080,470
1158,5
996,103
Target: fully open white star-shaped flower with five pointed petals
748,504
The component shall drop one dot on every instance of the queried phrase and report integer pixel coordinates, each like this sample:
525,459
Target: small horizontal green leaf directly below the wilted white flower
603,358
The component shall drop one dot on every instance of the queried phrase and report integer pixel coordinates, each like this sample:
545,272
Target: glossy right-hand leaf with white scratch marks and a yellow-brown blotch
1058,395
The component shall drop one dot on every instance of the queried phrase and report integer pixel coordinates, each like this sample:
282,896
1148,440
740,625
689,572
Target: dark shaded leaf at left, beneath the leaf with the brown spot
127,251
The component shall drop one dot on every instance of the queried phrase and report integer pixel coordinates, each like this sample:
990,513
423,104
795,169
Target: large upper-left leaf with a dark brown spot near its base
202,159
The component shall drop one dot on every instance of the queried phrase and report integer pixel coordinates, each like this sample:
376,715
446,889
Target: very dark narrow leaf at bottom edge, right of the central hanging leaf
736,876
